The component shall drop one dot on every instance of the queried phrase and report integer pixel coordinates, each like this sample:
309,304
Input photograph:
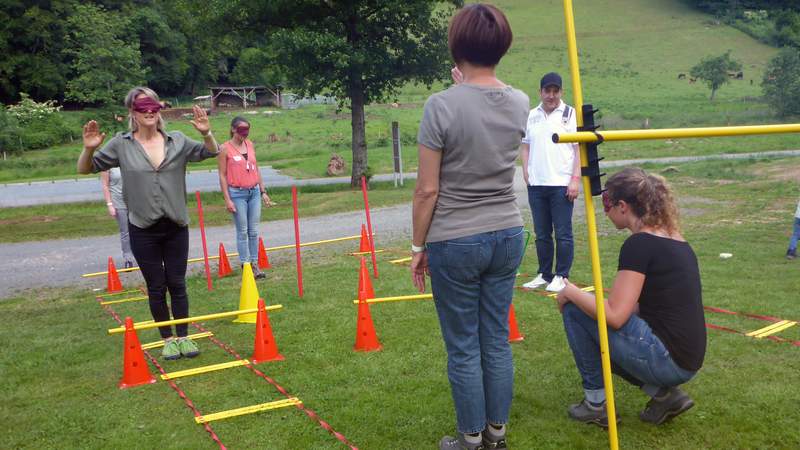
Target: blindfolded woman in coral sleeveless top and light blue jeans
243,189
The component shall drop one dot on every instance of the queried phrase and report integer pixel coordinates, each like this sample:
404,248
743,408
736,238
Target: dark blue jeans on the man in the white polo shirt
552,211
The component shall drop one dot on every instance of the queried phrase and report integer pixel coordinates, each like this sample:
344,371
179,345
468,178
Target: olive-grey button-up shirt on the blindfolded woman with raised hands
152,193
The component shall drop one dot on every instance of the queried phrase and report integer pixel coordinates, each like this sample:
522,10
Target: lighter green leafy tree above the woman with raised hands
104,65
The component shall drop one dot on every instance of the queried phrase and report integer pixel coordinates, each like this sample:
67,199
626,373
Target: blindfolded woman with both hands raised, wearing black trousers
153,164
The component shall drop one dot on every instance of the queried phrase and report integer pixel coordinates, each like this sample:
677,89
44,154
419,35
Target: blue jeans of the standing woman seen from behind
472,279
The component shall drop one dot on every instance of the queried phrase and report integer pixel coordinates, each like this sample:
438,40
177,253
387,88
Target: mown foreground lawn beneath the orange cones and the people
60,369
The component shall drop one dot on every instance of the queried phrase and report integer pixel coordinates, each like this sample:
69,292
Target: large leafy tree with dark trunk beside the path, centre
360,51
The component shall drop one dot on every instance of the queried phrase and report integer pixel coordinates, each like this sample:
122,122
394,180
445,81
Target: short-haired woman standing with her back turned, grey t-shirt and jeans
467,227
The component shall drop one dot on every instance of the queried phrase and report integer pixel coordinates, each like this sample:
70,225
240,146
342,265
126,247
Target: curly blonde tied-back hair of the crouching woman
649,196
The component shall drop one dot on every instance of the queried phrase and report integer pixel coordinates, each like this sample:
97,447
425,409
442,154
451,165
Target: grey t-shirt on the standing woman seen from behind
479,131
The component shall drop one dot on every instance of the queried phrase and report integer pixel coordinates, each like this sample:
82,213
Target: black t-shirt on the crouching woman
671,300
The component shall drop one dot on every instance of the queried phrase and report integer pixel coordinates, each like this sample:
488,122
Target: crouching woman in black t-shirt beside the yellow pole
657,334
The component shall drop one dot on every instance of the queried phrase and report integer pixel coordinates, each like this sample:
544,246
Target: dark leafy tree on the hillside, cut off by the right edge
781,83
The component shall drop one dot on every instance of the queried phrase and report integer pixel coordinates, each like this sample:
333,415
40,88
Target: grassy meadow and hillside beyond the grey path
631,53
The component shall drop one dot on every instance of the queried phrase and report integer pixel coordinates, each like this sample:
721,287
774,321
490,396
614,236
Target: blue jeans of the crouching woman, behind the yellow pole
637,355
